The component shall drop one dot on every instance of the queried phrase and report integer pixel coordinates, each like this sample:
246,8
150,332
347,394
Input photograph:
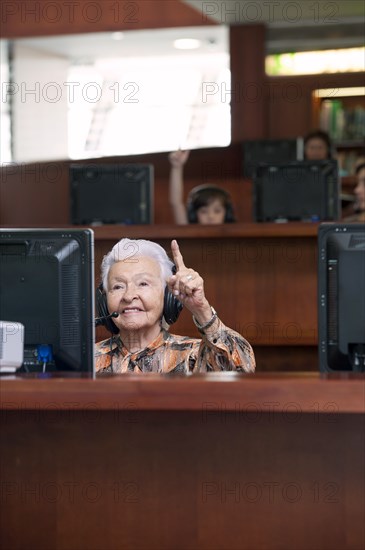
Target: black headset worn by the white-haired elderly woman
171,308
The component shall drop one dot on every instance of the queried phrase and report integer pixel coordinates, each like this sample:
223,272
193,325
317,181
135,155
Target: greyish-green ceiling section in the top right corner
293,26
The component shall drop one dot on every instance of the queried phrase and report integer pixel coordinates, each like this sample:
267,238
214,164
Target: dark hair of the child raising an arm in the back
202,195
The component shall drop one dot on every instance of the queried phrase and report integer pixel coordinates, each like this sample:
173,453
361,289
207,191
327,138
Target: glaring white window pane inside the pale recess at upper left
143,105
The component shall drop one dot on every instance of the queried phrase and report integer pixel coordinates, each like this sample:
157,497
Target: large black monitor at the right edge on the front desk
341,297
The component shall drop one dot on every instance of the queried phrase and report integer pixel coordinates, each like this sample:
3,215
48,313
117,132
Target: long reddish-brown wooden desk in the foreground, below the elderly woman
220,462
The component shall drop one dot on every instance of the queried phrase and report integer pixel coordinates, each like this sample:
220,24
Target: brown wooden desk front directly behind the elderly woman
261,278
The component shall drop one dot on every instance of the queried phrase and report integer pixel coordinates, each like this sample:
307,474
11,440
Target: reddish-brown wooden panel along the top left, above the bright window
42,18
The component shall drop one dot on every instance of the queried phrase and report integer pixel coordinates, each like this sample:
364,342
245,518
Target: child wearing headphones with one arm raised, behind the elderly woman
206,204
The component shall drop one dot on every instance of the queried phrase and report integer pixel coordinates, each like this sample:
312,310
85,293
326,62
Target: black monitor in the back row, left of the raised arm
111,194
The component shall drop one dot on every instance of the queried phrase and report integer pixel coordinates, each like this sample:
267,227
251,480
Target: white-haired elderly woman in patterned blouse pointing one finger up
134,277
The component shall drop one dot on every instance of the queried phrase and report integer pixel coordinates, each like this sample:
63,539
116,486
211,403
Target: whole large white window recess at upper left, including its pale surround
110,94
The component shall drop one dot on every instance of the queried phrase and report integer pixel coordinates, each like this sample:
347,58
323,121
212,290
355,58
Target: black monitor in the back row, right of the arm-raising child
296,191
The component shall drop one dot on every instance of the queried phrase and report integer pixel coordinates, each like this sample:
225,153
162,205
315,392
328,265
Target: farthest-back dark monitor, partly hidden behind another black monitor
260,151
